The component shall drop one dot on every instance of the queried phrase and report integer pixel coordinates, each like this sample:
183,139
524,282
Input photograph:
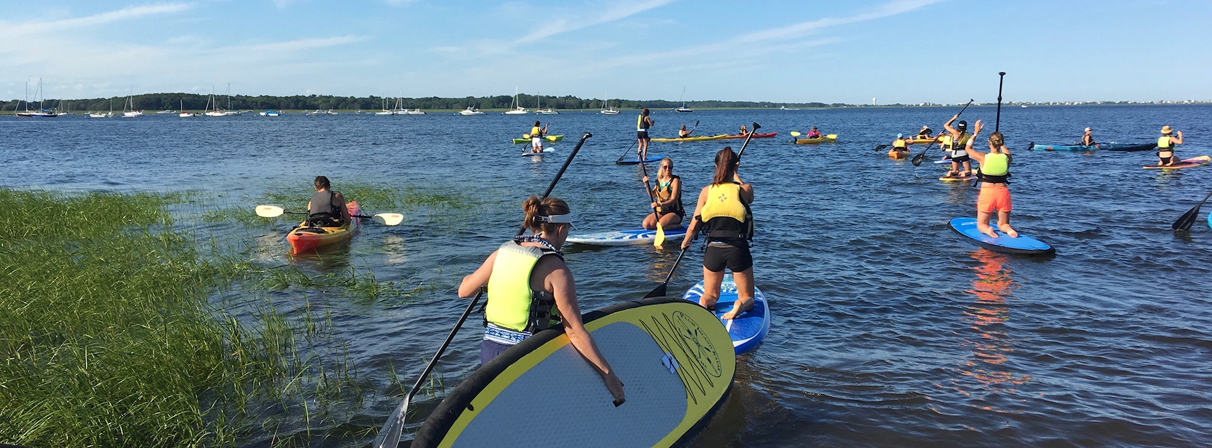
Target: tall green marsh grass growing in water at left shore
108,336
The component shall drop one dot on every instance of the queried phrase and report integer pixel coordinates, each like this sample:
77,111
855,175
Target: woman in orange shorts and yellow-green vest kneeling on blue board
993,176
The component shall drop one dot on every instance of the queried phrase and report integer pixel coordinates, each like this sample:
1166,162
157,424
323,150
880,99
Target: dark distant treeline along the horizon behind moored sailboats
238,102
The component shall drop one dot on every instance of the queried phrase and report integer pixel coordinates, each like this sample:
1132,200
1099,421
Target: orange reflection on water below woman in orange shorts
993,344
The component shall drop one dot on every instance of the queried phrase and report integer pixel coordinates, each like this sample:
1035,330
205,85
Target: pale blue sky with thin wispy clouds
899,51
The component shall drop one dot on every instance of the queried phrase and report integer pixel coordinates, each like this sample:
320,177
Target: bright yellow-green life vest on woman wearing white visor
512,303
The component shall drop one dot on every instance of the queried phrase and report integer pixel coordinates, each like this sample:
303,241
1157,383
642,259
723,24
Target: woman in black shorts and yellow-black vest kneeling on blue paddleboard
723,214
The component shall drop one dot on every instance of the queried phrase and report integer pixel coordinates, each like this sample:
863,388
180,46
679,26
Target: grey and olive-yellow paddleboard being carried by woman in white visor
672,355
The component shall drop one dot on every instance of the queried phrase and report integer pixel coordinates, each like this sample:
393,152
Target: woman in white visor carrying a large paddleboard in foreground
531,289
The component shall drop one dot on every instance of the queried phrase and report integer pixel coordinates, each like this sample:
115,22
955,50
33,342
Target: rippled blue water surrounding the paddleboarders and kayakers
889,330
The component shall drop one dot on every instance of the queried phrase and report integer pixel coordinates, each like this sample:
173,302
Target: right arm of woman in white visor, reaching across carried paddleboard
564,290
